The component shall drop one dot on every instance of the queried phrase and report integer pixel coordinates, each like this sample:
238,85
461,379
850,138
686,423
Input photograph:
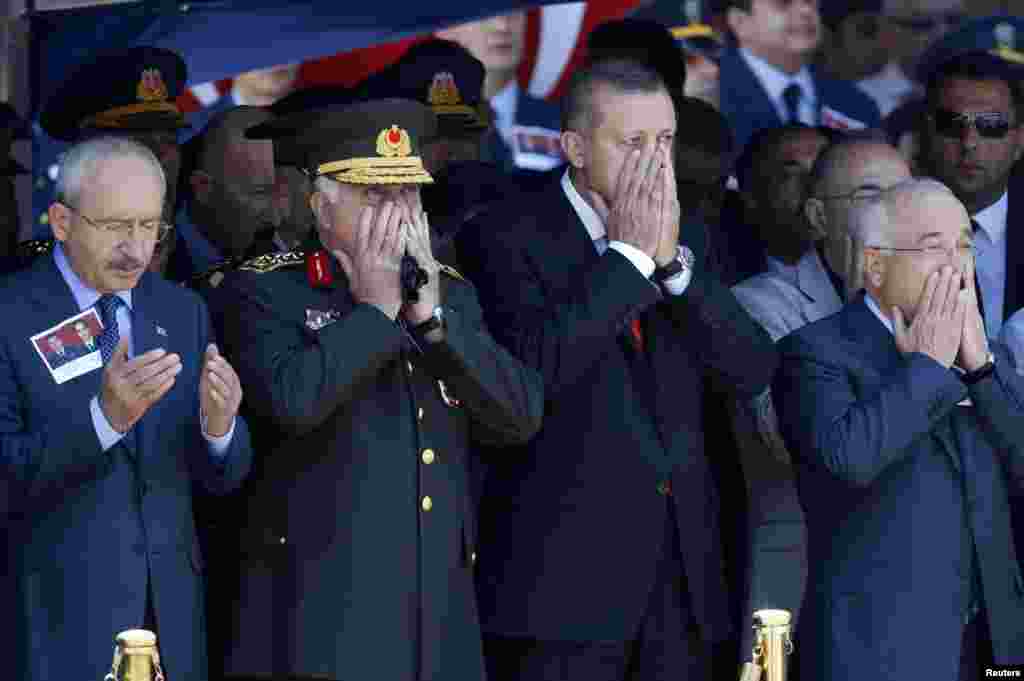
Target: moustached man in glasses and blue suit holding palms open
103,484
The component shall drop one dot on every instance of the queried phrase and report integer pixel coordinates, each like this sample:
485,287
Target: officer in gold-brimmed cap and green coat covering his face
358,546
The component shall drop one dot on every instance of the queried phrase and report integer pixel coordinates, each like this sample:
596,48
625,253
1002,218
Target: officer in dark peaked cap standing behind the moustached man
129,93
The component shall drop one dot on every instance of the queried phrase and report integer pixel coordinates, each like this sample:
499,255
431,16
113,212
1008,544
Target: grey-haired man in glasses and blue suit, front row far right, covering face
908,434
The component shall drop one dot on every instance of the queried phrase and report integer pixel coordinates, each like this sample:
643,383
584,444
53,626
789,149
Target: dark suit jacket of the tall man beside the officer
572,524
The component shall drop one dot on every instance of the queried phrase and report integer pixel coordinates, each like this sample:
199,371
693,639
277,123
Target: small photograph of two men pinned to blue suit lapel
71,348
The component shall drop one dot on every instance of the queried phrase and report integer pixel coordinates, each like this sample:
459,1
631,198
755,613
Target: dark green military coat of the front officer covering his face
342,572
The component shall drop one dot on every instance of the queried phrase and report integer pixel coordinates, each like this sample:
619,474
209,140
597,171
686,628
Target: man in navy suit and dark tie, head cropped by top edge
766,75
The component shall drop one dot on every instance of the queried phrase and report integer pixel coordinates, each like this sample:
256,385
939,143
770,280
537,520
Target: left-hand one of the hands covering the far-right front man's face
938,325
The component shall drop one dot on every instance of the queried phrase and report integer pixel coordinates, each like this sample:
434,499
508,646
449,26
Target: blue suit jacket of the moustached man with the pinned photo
89,526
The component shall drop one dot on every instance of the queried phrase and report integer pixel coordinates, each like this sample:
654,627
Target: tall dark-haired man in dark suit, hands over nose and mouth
601,555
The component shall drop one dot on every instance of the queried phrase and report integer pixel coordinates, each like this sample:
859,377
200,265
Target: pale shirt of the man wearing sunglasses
991,241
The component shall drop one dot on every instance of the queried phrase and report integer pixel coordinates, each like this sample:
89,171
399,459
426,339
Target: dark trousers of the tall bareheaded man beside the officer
667,648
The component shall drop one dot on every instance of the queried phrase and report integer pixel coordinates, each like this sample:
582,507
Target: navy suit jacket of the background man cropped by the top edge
749,109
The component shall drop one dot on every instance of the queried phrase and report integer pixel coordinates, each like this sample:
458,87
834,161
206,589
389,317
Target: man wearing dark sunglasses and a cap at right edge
971,139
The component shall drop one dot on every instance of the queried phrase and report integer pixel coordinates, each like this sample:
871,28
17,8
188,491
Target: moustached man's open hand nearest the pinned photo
131,388
